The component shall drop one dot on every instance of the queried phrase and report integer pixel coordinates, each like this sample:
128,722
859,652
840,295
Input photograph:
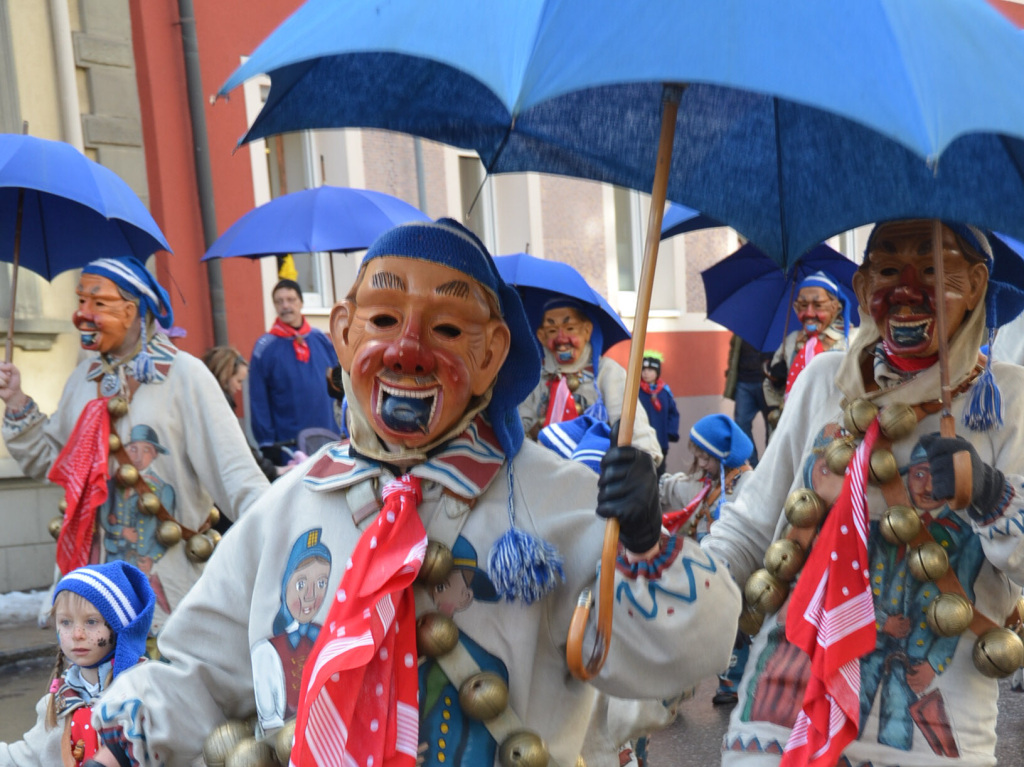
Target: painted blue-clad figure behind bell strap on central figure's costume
448,735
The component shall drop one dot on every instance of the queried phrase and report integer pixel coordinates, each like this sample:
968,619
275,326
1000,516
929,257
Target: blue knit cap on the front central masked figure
448,243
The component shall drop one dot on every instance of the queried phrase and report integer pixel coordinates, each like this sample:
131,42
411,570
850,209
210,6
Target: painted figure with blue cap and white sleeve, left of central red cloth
278,662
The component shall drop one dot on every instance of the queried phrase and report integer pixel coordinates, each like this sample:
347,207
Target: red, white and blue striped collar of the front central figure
466,465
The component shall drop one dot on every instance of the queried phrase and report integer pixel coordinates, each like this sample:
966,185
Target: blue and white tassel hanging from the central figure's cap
523,567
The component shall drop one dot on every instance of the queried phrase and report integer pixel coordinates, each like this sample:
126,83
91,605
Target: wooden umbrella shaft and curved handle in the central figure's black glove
586,670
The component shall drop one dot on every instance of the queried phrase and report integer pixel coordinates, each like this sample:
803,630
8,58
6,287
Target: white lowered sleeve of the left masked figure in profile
218,450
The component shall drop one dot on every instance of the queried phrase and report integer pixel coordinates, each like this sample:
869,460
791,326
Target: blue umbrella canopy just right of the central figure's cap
539,281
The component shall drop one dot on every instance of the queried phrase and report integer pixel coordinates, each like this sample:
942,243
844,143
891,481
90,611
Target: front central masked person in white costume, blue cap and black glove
500,534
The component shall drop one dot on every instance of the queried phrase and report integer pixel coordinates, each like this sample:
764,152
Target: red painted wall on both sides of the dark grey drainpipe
227,31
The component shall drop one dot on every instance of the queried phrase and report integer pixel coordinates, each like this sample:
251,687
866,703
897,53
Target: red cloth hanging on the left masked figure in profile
82,470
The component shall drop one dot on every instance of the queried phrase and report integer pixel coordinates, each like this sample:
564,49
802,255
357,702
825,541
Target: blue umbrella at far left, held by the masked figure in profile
60,210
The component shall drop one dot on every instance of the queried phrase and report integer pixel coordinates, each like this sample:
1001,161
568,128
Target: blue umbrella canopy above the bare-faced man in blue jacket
325,219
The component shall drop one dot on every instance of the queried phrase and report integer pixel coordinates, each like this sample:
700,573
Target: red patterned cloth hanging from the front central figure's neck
360,688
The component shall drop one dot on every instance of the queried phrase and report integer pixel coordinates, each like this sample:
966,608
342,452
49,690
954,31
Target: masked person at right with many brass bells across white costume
937,583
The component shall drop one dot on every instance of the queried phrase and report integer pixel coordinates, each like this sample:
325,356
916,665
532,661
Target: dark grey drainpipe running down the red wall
204,178
